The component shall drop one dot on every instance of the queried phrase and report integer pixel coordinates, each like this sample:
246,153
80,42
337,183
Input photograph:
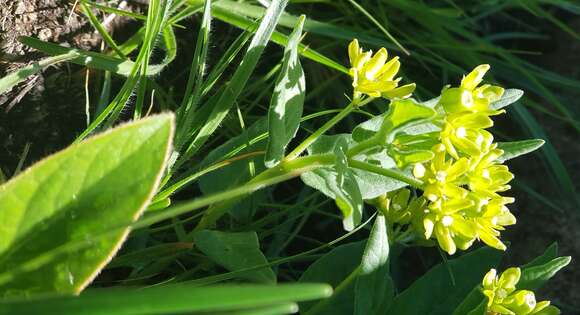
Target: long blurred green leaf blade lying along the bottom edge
170,299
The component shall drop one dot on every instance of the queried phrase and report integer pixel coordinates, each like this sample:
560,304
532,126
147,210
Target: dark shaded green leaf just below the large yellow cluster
436,293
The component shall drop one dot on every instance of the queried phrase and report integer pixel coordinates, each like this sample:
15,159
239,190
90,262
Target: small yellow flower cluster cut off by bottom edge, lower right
503,297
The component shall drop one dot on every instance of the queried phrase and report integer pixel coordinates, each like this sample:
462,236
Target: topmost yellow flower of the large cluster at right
469,97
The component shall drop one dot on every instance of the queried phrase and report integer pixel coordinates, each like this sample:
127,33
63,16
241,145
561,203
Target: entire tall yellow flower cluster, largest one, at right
463,181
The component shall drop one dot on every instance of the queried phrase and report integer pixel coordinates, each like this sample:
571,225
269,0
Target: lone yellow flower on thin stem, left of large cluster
374,75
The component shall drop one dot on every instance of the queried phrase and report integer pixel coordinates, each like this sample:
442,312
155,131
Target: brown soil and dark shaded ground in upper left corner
46,111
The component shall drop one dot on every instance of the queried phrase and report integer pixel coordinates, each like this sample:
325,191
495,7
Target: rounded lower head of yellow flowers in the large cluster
464,204
